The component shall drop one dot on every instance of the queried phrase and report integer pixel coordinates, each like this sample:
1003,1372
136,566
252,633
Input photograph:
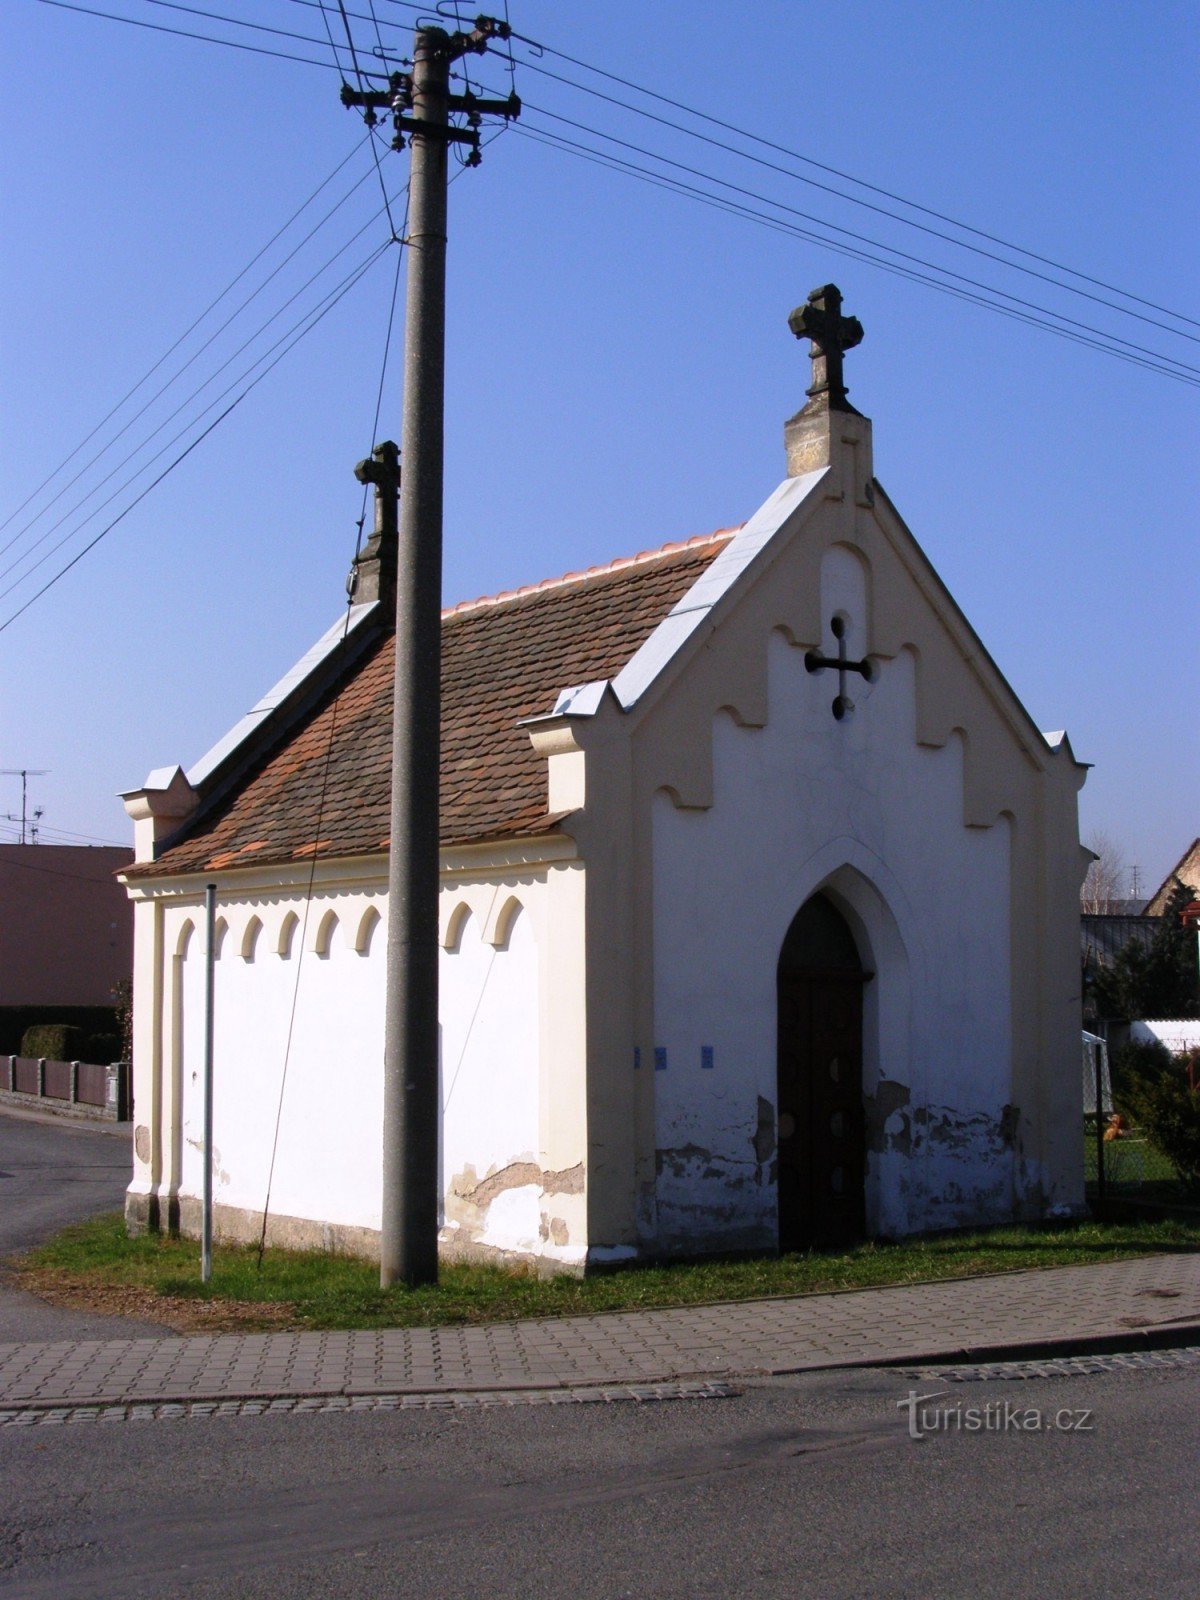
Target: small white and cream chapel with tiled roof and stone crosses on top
759,906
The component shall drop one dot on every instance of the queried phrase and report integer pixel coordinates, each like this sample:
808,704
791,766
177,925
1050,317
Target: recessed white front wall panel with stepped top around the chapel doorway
863,812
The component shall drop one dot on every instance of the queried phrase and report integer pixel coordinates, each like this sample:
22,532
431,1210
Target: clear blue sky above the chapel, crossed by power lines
620,364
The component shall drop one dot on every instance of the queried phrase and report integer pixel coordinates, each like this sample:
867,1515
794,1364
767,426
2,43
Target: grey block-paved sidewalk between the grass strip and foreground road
1065,1308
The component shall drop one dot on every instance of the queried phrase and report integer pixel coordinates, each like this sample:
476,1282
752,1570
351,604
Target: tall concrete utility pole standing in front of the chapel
409,1234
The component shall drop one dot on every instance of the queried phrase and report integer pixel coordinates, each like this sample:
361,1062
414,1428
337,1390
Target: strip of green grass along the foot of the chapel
159,1278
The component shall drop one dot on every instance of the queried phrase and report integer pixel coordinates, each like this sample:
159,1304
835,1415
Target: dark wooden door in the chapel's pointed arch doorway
822,1126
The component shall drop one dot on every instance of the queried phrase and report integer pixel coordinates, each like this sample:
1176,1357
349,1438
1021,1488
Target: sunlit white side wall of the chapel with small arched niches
502,1126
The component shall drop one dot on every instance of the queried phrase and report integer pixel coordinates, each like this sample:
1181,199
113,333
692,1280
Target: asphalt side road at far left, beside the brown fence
54,1174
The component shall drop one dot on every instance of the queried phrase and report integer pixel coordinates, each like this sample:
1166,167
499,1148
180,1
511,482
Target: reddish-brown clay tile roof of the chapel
503,658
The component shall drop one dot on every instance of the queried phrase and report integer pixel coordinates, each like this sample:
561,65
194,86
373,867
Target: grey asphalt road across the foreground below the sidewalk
796,1489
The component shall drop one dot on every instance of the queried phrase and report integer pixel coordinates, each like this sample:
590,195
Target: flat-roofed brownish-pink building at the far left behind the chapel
66,926
